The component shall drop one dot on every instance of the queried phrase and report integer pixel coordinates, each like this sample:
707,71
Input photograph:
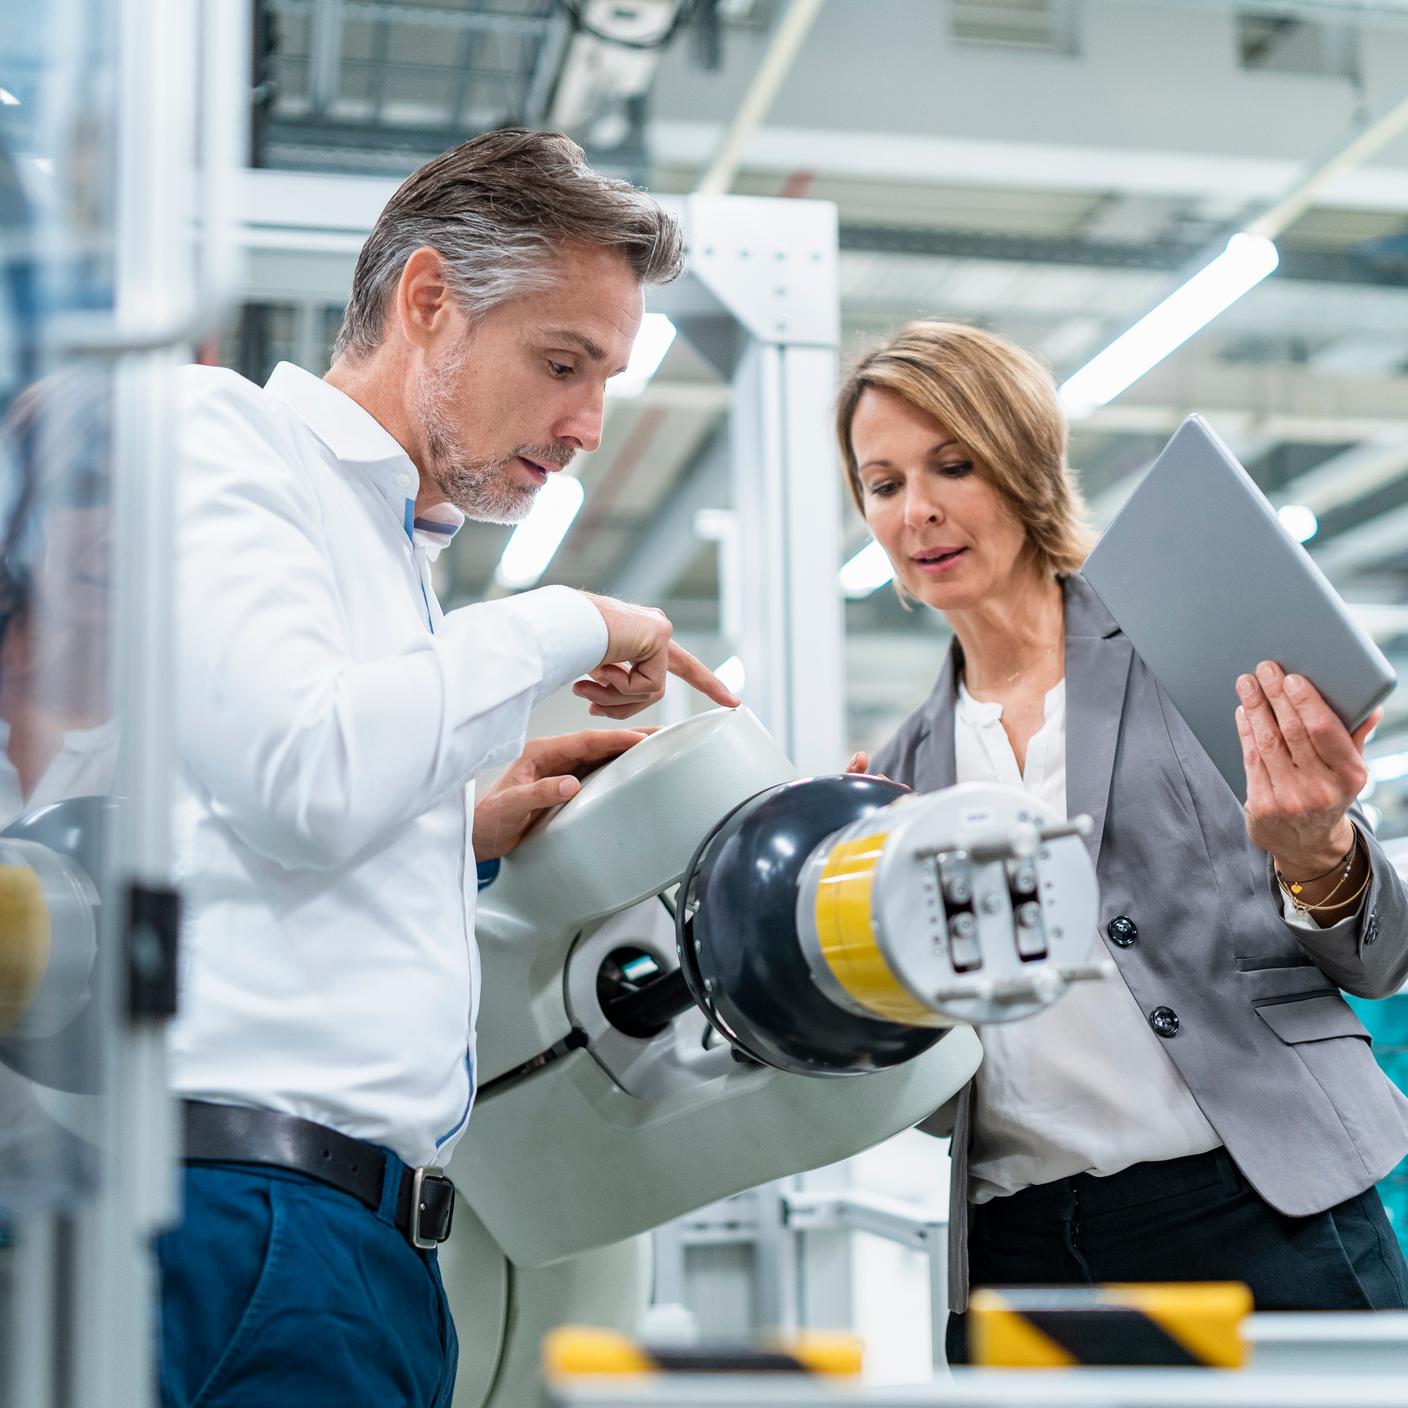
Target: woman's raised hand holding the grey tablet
1303,771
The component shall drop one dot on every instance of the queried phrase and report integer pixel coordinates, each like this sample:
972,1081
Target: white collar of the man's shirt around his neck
357,437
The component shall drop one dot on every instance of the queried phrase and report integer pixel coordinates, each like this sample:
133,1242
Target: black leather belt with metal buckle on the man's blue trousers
237,1134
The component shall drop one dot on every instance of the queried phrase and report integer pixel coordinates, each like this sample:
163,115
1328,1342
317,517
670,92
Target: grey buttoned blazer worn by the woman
1274,1055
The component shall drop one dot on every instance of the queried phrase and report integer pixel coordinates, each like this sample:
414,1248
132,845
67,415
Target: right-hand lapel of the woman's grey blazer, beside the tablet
1098,675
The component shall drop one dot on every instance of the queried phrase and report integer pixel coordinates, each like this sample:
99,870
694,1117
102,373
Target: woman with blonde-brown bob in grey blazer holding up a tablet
1214,1112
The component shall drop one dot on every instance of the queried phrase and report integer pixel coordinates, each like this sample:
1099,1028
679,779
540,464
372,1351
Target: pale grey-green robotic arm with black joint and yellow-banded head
703,975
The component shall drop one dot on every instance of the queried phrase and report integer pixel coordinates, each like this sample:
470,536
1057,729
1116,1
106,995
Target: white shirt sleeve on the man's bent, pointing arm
309,754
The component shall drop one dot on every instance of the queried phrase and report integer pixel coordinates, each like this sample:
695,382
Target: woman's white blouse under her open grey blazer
1086,1086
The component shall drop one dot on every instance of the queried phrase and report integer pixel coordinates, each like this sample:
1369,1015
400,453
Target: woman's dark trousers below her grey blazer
1185,1220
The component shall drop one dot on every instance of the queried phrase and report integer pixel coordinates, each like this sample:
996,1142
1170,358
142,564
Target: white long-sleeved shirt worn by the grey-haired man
332,723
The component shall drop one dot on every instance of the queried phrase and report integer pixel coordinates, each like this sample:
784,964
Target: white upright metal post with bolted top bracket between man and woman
772,264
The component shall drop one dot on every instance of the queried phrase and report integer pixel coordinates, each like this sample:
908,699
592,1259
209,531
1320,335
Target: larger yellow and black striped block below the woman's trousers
1175,1326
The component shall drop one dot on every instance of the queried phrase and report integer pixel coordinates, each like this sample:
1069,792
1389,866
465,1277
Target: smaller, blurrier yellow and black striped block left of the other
575,1351
